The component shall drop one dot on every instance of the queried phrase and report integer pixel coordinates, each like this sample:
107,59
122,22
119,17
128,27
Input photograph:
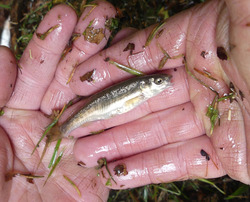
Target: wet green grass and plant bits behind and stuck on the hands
25,17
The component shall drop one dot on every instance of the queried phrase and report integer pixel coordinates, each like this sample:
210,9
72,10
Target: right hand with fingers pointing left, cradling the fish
162,140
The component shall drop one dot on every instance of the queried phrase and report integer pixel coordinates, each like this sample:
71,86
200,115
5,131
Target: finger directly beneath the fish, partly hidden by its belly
176,94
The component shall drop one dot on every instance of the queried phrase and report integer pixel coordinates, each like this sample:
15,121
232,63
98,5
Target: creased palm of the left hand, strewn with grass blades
25,128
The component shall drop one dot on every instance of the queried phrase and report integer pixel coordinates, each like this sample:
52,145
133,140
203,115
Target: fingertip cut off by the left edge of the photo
8,74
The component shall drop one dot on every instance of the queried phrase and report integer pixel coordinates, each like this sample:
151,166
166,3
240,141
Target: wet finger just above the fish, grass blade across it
145,59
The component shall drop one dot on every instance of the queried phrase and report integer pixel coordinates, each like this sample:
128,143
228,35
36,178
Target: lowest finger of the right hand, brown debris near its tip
173,162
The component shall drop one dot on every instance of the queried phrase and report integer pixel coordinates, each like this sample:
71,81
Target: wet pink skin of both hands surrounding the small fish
159,141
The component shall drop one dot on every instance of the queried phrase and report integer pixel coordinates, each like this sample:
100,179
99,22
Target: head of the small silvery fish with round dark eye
154,84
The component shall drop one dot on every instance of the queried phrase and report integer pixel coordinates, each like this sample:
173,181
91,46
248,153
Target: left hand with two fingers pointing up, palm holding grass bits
40,87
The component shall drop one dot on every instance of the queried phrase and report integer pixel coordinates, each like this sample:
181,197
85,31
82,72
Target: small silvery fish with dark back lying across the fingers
112,101
